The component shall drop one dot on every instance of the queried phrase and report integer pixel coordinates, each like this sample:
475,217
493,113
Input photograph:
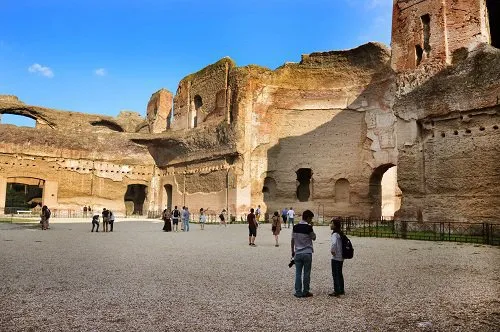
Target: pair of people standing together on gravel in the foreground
302,249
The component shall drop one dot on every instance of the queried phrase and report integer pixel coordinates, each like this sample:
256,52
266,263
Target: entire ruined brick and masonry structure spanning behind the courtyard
318,134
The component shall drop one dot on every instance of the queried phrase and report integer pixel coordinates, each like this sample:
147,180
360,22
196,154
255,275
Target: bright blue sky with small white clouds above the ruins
106,56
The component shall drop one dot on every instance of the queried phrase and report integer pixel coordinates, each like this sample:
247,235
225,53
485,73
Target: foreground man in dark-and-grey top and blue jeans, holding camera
302,250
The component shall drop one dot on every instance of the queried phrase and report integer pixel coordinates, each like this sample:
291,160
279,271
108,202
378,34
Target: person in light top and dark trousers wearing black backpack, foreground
337,259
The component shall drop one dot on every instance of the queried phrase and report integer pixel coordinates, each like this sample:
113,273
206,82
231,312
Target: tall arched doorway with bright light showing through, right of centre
383,192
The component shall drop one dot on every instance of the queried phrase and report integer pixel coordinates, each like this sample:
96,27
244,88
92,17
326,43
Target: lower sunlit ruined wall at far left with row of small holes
76,167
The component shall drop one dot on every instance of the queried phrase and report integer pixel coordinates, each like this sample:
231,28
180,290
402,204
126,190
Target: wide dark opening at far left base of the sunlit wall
23,194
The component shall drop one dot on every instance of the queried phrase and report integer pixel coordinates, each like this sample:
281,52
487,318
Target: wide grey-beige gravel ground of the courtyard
139,278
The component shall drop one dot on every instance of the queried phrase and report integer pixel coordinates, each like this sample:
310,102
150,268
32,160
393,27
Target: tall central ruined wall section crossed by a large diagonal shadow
330,113
